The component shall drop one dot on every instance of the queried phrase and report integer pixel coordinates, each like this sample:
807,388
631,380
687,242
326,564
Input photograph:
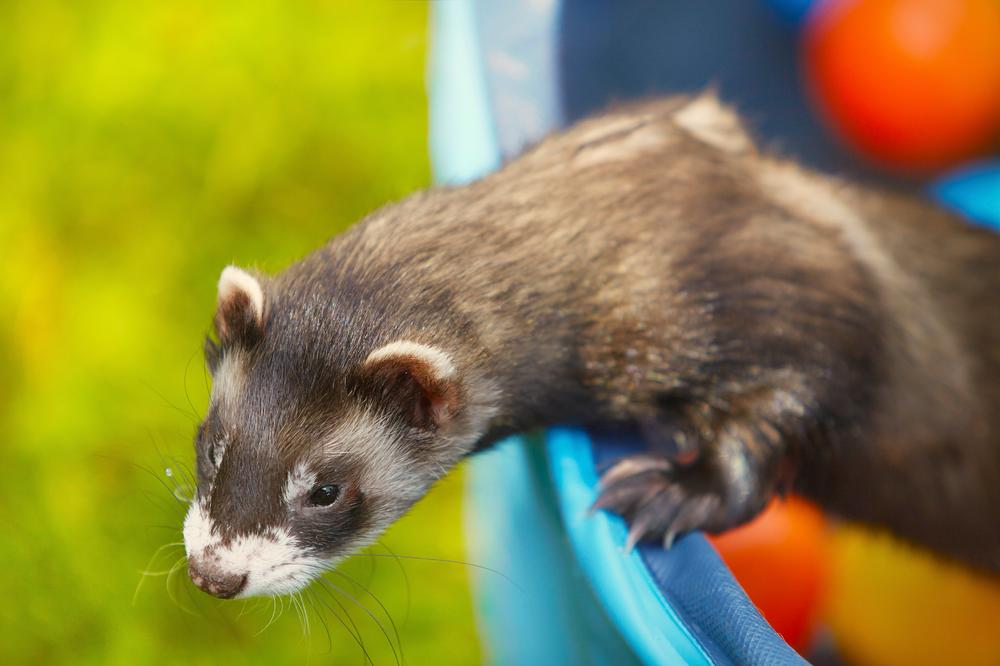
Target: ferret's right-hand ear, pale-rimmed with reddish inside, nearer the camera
418,378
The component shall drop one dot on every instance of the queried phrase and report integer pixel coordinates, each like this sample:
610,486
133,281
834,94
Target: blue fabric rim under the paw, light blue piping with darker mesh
685,596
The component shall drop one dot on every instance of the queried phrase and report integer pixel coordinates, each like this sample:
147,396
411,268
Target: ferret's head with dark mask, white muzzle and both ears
311,445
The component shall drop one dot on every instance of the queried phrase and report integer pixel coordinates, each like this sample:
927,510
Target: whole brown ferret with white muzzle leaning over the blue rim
762,327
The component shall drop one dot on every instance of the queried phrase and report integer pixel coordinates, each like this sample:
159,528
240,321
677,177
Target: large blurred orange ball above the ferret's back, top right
912,84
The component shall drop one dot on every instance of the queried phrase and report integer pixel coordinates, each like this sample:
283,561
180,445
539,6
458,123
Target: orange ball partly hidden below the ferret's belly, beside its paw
780,560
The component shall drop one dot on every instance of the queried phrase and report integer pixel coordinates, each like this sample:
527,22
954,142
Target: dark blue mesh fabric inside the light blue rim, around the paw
699,586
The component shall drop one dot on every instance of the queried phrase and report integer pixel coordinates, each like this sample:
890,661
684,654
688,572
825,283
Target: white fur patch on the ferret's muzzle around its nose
273,562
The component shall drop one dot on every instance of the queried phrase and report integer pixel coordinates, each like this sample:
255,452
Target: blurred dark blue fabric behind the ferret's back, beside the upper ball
616,50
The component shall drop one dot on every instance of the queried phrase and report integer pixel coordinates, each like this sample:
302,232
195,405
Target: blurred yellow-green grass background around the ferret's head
143,146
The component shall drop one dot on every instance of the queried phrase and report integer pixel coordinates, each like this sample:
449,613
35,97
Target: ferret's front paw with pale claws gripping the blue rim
662,500
